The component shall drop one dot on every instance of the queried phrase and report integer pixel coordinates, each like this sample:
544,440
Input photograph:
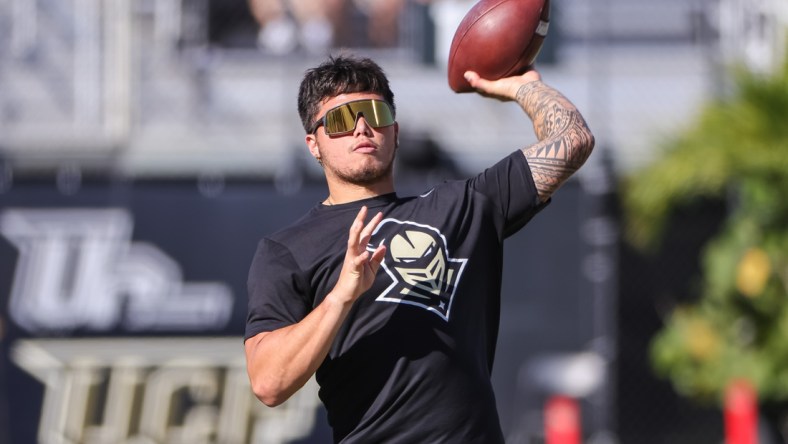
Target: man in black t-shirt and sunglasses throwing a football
397,314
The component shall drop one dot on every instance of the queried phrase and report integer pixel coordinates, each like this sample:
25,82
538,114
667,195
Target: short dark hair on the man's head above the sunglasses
340,75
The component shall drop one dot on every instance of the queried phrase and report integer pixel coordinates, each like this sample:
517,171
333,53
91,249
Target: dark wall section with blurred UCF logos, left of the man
124,324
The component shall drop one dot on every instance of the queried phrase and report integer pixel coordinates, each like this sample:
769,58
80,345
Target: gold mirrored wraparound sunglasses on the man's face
342,119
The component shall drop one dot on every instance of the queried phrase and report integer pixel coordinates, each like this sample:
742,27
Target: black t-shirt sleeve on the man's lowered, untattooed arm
277,290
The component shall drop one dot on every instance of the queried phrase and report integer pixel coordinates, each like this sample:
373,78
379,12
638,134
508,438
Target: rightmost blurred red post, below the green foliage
741,413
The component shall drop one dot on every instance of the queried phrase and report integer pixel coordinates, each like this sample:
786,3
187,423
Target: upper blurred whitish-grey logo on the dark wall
79,268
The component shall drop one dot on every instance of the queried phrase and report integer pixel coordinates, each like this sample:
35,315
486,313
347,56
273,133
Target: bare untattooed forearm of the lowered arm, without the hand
280,362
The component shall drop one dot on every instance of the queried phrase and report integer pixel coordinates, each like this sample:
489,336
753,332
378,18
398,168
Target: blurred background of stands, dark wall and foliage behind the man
147,145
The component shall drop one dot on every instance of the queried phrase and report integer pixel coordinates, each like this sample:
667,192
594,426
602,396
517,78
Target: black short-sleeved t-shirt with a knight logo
412,362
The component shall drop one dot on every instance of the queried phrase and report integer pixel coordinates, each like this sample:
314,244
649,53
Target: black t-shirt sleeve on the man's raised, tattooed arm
510,185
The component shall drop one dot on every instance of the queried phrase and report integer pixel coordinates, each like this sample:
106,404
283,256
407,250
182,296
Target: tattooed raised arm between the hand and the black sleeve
565,141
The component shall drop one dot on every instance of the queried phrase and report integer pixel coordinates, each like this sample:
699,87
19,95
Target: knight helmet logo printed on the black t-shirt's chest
418,261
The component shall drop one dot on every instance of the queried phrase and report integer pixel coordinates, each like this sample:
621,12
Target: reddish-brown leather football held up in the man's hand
497,38
